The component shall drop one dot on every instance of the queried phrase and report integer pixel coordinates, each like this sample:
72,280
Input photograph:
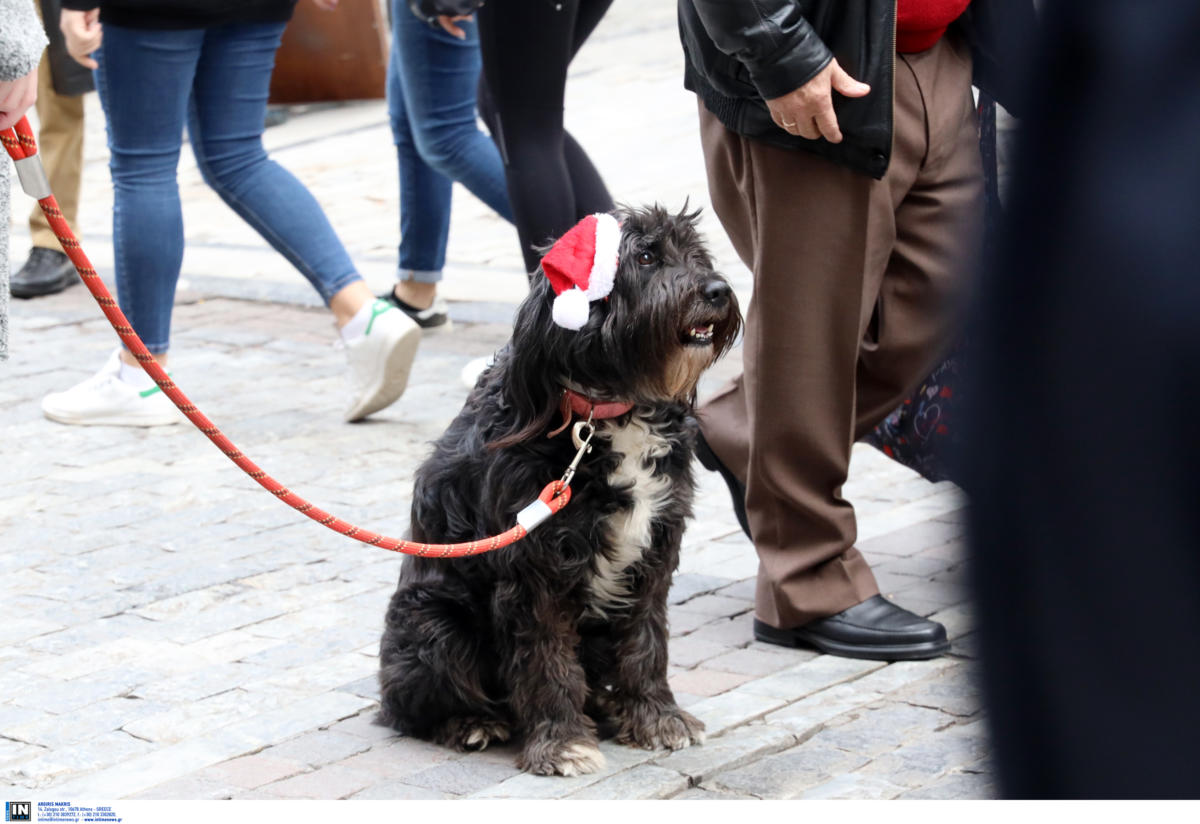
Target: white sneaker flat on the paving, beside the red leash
105,400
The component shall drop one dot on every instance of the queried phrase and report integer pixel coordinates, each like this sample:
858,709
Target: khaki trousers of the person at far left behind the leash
61,145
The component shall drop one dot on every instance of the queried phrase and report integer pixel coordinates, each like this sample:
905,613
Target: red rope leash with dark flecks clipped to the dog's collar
23,149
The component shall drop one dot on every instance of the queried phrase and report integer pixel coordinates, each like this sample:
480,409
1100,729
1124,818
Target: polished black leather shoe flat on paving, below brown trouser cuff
875,629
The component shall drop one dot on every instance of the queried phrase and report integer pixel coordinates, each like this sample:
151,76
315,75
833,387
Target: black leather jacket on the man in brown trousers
743,52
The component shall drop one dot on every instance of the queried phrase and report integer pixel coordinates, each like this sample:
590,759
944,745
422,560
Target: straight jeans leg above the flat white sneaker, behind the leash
145,80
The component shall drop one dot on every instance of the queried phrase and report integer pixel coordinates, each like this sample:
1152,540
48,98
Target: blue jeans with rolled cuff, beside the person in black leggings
433,79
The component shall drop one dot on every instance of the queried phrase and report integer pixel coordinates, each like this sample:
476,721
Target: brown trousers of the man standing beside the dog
855,296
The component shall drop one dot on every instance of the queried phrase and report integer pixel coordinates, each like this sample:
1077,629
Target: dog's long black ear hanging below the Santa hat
532,390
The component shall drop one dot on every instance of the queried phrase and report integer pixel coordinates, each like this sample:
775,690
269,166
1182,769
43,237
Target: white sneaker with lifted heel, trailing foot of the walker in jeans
381,360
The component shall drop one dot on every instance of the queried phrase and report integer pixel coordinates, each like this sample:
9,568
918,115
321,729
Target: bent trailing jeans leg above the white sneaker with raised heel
226,127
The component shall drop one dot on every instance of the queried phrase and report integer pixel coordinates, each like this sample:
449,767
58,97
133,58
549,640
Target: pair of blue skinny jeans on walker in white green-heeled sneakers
217,82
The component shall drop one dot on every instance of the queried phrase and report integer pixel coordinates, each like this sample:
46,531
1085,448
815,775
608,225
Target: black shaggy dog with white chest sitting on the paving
563,635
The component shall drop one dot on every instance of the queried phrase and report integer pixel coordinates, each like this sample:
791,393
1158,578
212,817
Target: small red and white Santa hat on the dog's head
581,266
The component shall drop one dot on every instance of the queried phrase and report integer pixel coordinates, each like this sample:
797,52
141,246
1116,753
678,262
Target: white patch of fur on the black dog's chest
629,531
